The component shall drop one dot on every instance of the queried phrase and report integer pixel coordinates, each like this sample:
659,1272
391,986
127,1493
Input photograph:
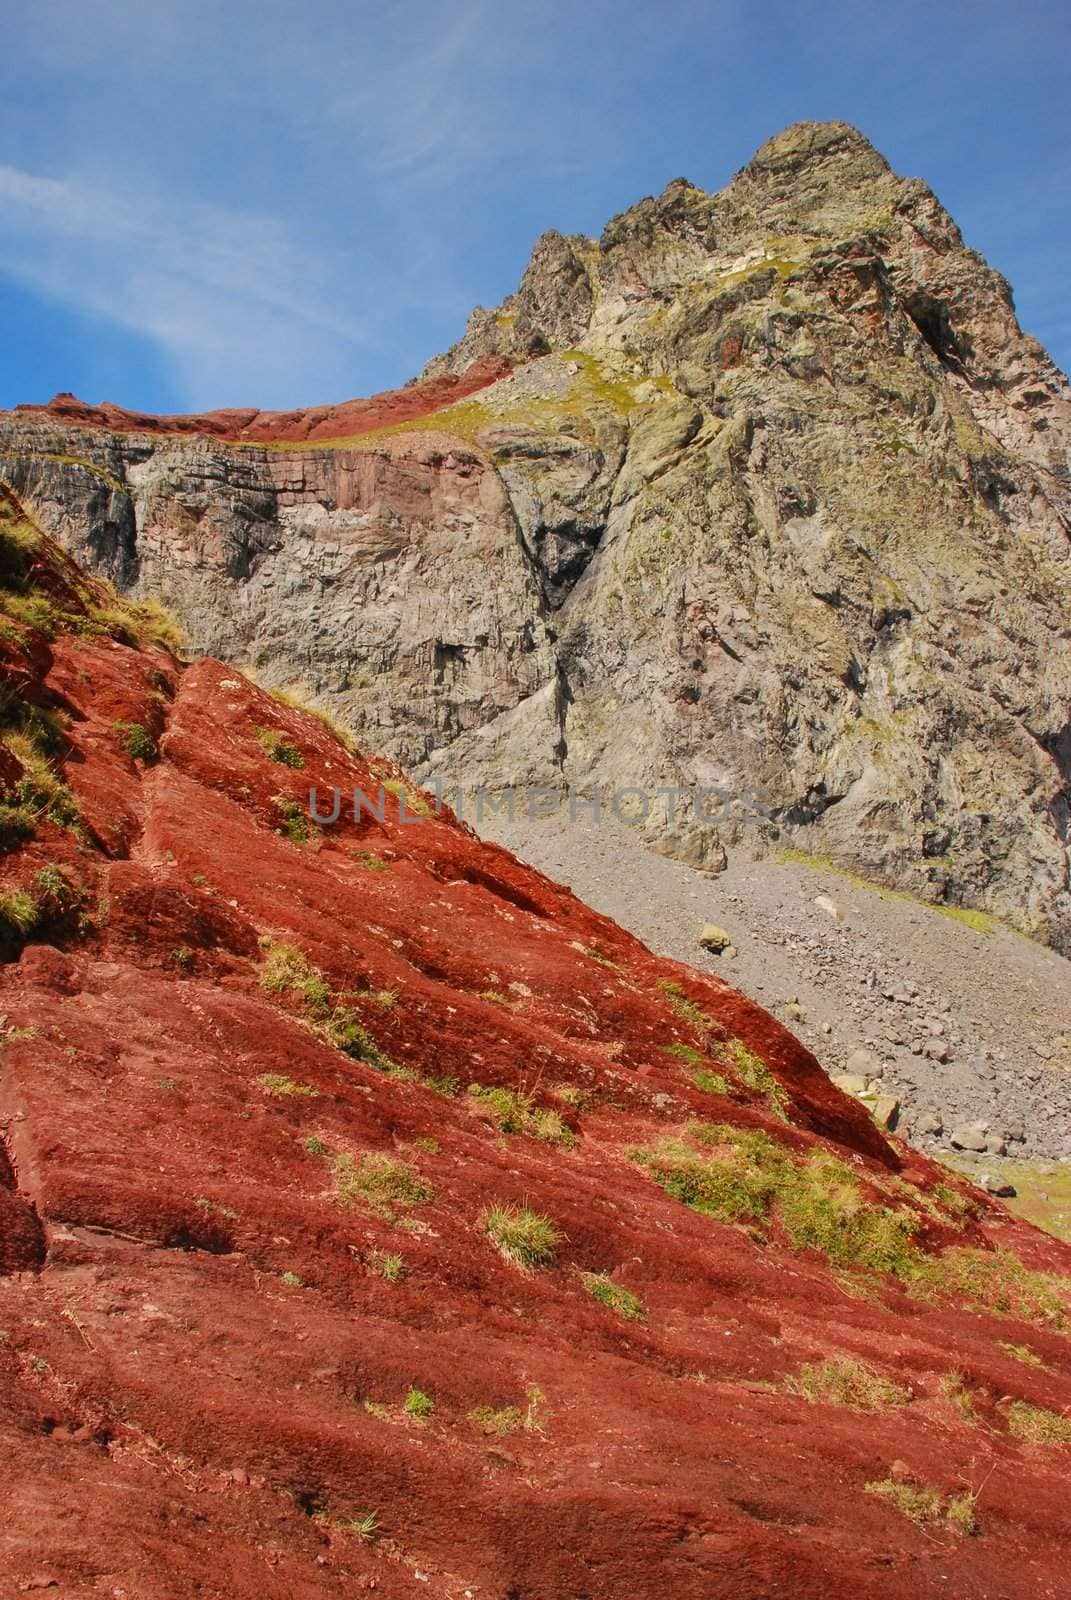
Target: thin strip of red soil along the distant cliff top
307,426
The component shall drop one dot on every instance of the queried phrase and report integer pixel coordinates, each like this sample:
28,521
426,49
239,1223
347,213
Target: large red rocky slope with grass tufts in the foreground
209,1330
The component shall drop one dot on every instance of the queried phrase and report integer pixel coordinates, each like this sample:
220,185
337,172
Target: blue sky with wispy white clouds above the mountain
278,206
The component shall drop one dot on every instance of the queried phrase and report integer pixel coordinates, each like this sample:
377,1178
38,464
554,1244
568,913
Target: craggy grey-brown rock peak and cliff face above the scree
777,497
